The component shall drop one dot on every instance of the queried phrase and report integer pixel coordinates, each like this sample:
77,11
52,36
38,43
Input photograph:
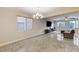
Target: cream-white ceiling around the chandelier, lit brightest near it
46,11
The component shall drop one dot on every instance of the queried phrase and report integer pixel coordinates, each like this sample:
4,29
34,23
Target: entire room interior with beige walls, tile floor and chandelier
23,30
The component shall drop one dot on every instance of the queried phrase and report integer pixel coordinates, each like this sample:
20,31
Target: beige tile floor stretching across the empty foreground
43,43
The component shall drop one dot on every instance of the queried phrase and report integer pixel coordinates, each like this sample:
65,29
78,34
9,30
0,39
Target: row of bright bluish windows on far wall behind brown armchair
70,24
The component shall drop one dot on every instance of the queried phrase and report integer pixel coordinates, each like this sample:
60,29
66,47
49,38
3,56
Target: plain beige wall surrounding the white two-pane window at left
8,26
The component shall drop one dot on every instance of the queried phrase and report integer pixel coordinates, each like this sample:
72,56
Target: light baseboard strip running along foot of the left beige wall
31,36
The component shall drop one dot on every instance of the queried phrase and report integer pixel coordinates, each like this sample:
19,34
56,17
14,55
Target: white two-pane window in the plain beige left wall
24,23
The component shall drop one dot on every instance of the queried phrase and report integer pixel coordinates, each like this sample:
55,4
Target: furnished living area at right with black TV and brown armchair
65,27
